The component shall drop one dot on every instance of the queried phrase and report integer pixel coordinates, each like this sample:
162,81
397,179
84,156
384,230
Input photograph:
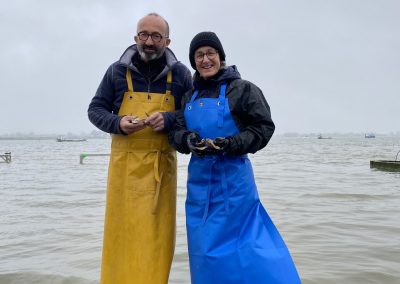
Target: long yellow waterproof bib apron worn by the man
139,230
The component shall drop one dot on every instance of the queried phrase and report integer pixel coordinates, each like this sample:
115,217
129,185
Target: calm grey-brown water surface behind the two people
339,218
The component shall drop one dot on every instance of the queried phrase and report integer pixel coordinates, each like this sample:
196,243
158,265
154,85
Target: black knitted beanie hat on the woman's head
205,39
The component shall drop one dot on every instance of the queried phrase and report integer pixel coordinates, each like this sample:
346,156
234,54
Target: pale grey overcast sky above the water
323,65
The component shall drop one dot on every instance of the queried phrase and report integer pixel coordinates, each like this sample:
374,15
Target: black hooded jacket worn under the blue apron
248,107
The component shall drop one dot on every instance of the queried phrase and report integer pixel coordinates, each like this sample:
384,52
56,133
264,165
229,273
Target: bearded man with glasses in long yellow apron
135,102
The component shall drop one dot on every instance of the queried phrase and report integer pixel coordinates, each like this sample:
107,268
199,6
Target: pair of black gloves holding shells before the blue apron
203,147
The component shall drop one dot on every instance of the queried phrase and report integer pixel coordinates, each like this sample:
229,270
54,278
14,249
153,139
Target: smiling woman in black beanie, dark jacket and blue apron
231,238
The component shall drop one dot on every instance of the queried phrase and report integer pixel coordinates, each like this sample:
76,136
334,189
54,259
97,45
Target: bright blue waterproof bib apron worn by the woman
231,238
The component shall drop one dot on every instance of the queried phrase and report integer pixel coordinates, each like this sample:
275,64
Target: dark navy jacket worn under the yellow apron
104,107
